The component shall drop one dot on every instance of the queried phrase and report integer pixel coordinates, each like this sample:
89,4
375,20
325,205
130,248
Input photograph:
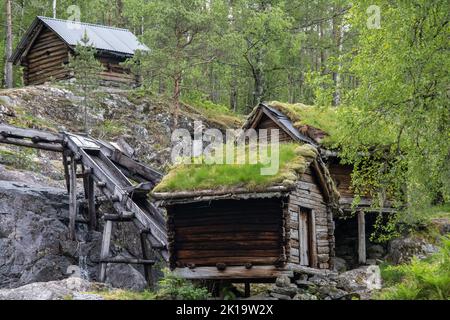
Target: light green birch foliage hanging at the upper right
396,131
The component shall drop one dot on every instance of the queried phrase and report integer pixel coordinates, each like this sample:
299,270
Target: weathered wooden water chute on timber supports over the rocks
123,181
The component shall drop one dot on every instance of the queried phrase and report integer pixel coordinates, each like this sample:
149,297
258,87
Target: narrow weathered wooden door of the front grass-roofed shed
305,237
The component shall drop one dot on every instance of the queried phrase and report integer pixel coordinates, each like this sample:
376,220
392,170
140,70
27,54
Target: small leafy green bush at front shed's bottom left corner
173,287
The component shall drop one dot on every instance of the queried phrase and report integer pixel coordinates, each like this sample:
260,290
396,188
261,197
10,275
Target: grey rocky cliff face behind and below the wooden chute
34,246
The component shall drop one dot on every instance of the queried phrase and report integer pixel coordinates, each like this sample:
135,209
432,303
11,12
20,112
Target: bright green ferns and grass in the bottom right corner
421,279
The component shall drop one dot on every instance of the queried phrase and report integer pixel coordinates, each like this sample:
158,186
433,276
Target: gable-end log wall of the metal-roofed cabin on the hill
45,59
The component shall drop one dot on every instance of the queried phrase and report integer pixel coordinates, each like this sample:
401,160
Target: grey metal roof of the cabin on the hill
115,40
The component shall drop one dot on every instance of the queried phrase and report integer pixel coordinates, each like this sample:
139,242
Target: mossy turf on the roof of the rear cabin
307,119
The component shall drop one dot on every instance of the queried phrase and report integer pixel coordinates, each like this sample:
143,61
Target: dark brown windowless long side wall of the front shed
230,232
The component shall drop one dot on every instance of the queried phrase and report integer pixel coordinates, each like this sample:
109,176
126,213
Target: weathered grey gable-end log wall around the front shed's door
308,196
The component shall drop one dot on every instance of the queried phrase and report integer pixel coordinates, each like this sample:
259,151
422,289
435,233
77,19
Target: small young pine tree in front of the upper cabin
86,70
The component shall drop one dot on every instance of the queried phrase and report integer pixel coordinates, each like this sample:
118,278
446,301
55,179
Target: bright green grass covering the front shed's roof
294,160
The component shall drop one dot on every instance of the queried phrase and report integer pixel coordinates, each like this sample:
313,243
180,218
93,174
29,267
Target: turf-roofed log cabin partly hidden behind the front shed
315,126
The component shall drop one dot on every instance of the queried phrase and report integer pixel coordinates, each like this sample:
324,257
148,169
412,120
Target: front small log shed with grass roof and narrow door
234,225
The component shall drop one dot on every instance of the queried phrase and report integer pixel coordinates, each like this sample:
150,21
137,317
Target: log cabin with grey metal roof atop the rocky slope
46,47
